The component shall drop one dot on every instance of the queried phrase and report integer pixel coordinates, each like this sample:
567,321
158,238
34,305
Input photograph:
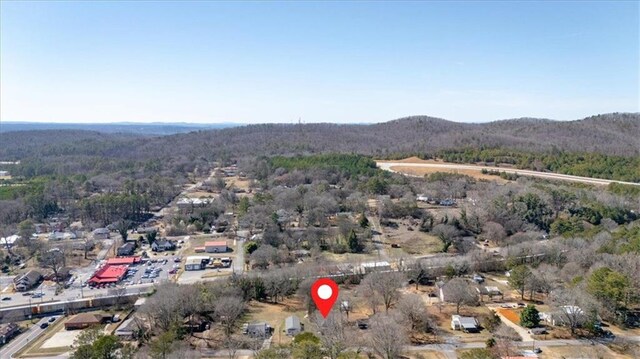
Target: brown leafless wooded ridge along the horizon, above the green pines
610,134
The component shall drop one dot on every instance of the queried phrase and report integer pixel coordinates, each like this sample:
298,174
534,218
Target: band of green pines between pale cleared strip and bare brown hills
577,164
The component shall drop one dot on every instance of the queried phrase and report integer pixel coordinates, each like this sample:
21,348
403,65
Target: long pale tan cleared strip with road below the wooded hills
546,175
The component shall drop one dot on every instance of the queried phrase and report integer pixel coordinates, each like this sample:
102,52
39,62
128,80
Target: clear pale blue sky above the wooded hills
258,62
